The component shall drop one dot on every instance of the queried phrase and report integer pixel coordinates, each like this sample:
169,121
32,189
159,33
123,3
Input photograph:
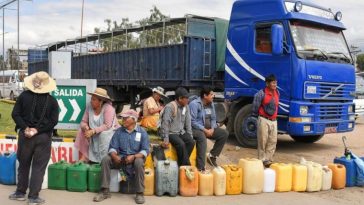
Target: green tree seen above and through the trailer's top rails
154,37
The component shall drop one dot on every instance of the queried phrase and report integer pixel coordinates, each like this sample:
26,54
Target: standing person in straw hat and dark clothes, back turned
35,114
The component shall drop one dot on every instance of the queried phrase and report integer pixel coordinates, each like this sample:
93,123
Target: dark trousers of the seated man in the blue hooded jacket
220,136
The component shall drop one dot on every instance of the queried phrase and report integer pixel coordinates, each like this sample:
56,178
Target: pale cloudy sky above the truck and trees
47,21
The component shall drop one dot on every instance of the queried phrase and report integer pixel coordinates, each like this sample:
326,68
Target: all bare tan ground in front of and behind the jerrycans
288,151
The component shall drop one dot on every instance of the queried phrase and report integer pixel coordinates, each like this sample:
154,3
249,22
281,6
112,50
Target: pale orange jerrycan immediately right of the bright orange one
206,183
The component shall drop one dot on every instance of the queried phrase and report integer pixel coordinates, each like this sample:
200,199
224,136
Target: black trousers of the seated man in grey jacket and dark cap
184,146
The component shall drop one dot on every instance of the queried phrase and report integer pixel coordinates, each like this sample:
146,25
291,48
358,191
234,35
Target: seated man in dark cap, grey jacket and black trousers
176,127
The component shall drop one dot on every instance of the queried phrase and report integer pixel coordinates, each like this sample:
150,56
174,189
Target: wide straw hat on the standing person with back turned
40,82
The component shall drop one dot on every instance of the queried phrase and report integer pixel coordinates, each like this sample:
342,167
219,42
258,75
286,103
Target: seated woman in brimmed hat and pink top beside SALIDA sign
97,127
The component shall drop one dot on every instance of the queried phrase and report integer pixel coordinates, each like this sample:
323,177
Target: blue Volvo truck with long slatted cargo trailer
299,42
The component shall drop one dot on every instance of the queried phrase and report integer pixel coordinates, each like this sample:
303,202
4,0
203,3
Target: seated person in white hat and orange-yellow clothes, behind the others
151,109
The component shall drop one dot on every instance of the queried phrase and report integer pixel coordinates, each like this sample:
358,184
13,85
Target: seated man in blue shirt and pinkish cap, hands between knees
128,149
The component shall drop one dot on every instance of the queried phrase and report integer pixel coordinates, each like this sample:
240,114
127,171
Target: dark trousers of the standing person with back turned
35,151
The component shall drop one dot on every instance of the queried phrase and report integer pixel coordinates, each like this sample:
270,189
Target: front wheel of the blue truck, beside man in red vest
245,127
